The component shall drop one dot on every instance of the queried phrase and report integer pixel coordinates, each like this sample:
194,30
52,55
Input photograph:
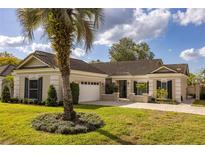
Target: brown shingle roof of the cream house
138,67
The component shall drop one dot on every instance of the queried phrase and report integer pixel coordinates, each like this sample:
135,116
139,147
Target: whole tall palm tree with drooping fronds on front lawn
65,28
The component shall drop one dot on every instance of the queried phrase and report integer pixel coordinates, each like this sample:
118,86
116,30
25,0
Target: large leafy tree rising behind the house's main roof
126,49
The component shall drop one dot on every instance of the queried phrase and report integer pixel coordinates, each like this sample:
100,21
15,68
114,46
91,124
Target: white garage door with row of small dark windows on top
89,91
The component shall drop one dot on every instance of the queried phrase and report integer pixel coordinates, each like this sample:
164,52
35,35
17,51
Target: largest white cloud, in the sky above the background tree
144,25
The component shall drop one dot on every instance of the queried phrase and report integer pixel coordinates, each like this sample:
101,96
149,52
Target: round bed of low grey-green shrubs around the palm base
53,123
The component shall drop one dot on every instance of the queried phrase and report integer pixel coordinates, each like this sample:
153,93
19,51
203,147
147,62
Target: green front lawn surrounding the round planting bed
123,126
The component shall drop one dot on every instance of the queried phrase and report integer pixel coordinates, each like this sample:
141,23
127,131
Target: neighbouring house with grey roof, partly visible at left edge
4,71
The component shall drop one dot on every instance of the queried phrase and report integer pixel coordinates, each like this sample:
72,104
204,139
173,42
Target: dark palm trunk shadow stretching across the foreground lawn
114,137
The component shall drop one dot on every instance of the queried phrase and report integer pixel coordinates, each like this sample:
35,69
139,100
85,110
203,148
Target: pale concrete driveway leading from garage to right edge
184,108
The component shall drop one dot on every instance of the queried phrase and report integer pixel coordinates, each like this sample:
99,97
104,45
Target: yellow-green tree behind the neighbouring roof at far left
7,58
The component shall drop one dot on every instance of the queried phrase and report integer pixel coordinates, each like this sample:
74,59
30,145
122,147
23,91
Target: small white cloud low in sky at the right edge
192,54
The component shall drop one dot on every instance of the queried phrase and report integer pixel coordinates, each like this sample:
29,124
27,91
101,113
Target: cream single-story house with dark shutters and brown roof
39,70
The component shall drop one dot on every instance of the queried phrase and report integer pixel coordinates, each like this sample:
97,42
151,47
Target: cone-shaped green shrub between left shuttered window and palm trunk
52,96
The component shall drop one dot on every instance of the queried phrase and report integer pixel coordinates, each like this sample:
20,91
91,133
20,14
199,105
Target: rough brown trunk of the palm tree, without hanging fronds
62,43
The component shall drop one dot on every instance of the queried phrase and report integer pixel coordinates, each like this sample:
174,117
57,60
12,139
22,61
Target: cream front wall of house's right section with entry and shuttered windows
143,88
